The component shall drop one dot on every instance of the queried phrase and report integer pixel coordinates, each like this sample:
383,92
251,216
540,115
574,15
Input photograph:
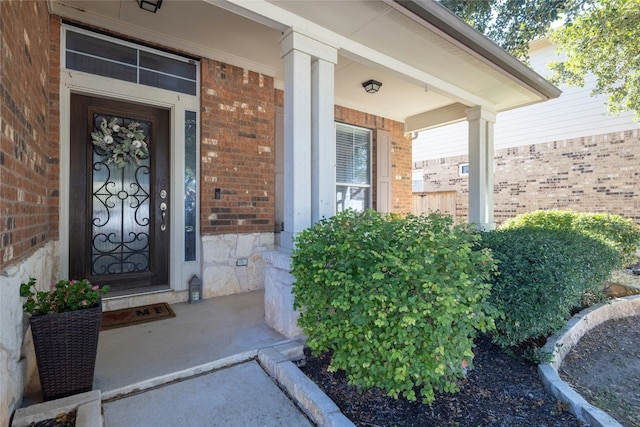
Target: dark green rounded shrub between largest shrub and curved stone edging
543,275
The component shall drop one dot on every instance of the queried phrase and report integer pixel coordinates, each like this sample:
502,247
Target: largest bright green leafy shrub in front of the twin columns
398,301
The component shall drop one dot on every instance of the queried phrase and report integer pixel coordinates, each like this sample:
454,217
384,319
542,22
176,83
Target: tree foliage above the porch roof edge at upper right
599,37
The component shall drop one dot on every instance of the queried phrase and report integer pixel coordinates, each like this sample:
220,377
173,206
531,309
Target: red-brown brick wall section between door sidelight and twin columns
237,150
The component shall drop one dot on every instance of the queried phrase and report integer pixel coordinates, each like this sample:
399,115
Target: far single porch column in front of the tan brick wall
481,158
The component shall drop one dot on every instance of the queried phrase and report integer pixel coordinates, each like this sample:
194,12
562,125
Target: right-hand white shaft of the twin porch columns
323,141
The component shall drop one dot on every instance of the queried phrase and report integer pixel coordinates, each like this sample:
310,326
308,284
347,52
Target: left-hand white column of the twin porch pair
297,140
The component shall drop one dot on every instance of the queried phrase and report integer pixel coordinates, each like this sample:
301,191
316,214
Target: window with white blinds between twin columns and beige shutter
353,168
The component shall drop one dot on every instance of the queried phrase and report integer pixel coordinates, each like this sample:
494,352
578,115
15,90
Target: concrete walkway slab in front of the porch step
241,395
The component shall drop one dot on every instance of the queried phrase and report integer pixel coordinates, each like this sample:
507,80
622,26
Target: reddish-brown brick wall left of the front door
27,179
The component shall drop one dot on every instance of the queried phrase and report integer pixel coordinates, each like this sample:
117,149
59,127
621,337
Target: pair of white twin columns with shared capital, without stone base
309,134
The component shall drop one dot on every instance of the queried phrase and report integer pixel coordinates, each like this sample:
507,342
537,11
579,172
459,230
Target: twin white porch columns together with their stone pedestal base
309,164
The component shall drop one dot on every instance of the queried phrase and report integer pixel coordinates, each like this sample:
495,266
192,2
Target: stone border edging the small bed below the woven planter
88,406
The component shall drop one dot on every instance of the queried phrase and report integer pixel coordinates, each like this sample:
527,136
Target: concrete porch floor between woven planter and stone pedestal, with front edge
208,335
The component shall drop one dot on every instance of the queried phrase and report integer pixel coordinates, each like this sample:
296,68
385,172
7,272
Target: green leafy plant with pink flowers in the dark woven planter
66,295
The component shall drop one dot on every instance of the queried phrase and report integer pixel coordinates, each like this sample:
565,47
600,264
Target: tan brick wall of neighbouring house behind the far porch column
594,174
